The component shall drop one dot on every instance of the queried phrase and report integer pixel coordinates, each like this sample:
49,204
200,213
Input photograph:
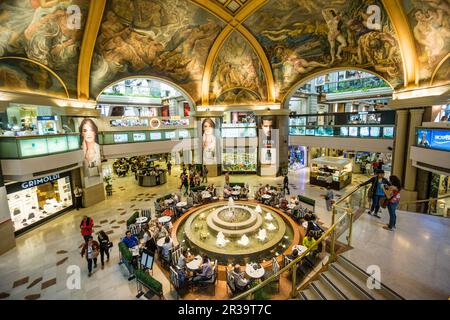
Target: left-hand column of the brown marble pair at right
401,133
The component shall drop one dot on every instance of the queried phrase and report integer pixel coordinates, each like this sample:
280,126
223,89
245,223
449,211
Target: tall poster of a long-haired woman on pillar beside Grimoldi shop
92,160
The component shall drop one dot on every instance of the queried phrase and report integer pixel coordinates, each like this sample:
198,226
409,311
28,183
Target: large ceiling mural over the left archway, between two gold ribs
164,38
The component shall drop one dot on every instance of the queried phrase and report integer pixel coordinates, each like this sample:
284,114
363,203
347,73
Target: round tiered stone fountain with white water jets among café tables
235,233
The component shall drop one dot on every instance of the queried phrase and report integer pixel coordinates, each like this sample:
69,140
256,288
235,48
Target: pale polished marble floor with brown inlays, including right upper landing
41,264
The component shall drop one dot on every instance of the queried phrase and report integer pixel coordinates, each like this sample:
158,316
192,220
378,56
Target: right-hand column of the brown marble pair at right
411,171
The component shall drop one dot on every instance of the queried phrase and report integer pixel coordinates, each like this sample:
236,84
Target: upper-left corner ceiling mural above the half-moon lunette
44,31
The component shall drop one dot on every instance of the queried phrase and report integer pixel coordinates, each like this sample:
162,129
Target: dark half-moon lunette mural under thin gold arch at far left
25,76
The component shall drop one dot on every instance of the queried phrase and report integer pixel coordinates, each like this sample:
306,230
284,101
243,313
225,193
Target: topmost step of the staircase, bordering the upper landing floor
359,276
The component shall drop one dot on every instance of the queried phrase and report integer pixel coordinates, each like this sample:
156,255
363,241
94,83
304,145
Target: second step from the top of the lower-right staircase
351,289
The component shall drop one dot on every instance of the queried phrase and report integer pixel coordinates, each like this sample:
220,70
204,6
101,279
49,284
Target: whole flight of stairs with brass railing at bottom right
345,281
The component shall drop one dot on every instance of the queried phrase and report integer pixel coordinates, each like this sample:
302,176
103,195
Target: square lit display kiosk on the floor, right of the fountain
331,171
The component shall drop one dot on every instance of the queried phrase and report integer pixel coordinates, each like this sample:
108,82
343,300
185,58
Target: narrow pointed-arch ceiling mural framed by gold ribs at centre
237,66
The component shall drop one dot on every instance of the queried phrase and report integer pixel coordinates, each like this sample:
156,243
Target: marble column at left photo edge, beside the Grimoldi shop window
7,238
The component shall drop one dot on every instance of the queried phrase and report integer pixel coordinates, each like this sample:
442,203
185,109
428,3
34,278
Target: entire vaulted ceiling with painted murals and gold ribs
218,51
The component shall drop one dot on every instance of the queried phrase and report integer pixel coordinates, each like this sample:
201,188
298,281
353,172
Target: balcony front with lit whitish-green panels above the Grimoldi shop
37,146
